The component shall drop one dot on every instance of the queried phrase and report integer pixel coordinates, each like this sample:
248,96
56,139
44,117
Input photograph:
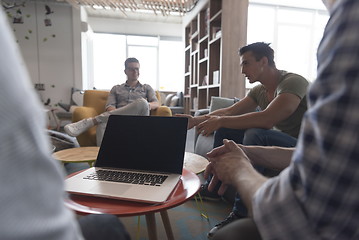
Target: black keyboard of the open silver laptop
127,177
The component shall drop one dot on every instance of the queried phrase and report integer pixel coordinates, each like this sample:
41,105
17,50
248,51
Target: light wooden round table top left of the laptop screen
77,155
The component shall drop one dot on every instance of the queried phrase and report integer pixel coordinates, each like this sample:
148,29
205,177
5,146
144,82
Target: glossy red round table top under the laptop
187,187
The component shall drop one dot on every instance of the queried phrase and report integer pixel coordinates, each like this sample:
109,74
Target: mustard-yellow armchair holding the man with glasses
93,105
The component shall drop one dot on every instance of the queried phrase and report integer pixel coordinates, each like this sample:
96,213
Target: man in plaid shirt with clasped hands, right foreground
317,195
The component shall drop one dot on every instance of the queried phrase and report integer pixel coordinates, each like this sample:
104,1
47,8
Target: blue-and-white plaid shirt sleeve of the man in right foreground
317,196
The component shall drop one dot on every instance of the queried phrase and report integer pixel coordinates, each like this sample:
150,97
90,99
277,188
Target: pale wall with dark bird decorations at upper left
52,54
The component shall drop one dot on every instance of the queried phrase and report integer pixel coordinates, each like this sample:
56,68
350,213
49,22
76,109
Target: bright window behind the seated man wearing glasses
160,58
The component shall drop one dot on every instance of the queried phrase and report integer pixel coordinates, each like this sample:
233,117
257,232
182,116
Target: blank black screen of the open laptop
149,143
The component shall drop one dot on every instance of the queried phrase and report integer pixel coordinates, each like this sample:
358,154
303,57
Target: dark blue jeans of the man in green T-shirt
253,136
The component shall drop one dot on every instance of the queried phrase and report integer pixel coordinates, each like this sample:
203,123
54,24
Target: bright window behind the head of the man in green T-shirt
294,34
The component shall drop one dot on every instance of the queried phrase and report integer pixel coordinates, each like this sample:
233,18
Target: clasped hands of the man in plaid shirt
225,163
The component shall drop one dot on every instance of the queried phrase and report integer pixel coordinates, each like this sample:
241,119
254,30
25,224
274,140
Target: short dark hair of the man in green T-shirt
259,50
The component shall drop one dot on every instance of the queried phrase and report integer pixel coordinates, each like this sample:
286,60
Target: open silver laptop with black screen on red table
140,159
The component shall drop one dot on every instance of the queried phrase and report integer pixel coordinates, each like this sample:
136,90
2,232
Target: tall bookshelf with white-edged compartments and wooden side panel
213,34
